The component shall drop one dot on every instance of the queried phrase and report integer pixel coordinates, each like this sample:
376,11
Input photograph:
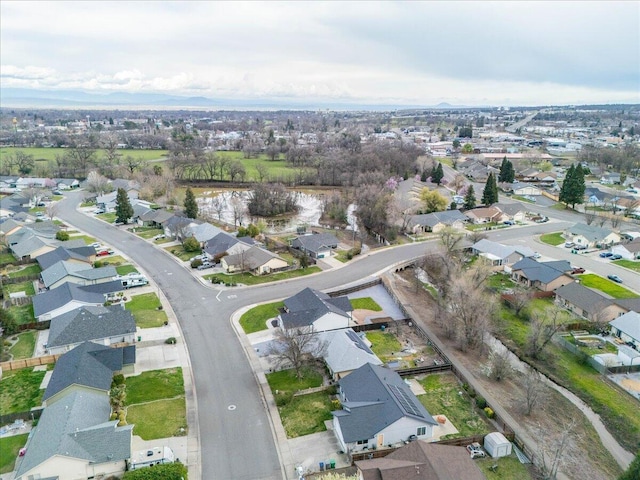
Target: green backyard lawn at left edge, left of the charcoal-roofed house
20,390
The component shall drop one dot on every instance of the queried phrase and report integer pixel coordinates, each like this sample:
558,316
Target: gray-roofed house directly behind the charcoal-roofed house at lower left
101,325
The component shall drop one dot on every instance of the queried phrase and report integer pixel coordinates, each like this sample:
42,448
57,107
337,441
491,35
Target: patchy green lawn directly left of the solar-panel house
306,414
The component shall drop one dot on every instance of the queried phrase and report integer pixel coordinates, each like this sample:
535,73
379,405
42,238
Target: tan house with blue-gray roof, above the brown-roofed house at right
546,276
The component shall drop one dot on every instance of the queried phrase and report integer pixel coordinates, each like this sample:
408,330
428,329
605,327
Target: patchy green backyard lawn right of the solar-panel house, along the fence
443,398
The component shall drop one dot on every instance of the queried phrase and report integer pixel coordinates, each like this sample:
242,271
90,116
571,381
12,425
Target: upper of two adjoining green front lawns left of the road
155,385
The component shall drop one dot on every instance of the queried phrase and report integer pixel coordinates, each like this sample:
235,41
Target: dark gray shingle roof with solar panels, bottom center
376,397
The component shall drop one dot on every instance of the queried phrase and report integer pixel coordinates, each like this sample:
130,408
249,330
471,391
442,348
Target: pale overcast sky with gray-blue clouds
419,53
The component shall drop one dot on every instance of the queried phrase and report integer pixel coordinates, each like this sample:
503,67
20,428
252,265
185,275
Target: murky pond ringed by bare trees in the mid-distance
220,206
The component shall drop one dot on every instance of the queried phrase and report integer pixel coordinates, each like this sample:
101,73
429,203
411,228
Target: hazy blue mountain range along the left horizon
25,98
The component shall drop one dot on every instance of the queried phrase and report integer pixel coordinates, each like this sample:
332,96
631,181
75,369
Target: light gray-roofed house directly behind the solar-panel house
345,352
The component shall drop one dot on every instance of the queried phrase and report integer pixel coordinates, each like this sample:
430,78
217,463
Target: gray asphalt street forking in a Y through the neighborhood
237,443
